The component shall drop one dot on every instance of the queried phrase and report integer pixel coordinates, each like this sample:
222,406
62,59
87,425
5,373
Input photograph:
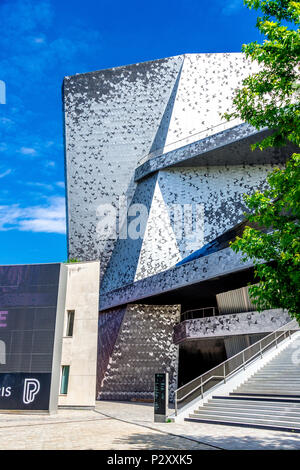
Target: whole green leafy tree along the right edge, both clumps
270,98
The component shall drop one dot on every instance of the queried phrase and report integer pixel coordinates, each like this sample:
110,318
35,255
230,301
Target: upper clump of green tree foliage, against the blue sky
270,97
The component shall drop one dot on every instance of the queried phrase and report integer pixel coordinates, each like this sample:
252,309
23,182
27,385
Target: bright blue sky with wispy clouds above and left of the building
44,40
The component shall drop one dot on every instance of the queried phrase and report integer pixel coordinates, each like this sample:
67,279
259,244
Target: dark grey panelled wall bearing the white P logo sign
28,311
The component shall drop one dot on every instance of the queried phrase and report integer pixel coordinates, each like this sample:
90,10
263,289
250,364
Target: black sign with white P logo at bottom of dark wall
19,391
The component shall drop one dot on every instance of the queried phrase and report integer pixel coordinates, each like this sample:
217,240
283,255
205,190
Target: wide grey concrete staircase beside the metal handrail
270,399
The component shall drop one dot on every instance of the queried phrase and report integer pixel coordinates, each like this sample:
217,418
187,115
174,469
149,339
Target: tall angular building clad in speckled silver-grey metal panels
155,183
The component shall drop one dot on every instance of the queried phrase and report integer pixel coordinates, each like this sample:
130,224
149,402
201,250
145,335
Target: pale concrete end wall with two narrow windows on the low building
80,351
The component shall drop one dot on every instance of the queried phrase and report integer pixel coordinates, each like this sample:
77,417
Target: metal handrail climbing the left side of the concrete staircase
242,365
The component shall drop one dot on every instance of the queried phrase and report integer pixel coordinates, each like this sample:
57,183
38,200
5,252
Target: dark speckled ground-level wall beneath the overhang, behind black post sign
143,347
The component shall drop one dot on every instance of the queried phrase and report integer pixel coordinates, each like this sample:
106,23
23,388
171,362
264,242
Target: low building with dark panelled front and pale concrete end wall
48,336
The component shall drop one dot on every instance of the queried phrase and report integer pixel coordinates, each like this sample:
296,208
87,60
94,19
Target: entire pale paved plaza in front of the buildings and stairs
129,426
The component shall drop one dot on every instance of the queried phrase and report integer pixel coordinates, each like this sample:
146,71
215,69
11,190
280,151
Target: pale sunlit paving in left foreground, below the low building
84,430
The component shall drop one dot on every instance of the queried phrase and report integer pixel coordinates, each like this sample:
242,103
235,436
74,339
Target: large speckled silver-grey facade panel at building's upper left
112,118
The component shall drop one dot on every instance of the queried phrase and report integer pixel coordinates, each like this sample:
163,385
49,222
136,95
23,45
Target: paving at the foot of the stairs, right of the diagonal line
217,436
